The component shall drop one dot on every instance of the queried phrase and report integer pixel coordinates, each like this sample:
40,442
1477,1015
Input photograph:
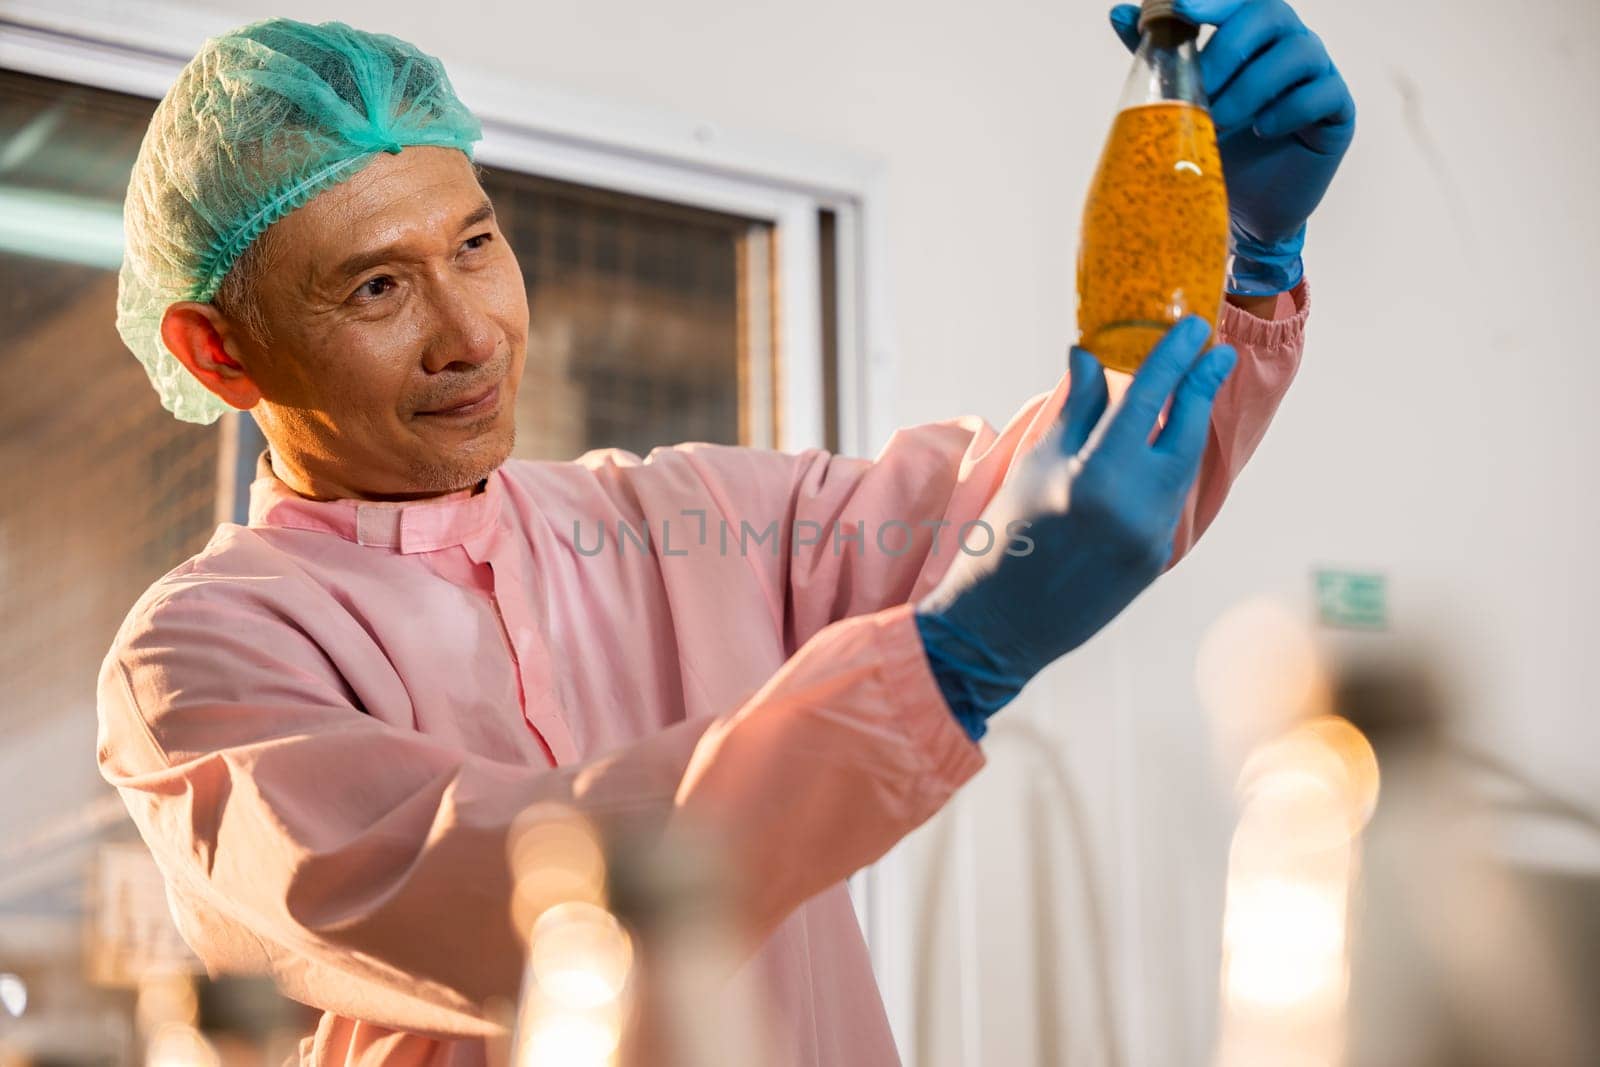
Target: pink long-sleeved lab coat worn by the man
326,722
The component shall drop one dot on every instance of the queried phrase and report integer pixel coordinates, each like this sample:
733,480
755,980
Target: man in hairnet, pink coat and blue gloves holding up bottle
327,722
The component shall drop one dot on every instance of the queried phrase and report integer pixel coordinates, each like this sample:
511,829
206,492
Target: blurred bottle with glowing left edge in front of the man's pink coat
633,951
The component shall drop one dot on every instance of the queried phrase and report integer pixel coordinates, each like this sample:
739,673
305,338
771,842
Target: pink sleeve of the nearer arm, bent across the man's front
386,898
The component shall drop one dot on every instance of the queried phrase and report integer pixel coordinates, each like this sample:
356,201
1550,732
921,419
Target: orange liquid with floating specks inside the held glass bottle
1154,233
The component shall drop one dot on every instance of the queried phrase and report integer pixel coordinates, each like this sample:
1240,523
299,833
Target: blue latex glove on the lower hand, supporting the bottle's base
1078,538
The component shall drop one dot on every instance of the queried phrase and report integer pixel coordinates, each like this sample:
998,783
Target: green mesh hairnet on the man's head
258,124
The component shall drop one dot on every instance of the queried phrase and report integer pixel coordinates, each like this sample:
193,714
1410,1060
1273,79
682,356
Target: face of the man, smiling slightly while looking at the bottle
398,326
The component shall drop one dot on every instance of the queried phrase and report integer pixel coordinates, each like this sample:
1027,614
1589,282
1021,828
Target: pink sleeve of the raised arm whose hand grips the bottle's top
862,535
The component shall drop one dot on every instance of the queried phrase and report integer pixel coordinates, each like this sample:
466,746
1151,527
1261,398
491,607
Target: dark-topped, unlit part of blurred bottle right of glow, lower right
1457,959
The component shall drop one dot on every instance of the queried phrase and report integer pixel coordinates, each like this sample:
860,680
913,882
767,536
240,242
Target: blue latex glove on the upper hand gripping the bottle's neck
1286,121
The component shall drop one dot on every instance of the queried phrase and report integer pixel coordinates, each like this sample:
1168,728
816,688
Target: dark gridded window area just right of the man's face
638,332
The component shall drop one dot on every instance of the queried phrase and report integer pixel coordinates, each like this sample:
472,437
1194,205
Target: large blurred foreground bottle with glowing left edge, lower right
1382,927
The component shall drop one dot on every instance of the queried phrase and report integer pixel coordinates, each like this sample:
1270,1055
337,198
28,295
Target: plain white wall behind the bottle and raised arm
1439,431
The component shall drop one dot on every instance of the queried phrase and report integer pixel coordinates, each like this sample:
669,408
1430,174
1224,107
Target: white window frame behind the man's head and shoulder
138,47
